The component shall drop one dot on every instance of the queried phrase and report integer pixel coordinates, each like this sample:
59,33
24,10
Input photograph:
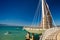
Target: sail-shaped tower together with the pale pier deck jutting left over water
46,21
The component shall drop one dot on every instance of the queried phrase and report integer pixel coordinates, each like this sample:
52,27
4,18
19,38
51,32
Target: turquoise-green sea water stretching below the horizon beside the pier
13,33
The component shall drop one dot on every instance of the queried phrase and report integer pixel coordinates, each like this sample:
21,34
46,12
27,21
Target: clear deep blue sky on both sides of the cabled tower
21,12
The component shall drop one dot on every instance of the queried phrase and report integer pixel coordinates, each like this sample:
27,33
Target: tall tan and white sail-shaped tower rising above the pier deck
46,16
